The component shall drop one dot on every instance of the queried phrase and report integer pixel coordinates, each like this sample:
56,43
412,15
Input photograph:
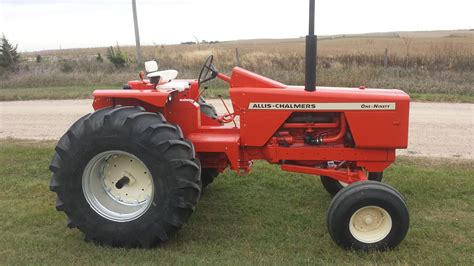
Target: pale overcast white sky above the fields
47,24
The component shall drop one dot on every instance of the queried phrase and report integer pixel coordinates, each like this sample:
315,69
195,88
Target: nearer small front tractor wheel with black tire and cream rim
368,215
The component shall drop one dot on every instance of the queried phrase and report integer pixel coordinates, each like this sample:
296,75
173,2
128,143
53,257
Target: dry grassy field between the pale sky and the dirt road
435,65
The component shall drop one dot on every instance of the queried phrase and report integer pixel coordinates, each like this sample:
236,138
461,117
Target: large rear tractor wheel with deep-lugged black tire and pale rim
125,177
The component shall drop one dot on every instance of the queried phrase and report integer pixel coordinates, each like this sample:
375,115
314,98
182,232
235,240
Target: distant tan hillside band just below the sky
420,43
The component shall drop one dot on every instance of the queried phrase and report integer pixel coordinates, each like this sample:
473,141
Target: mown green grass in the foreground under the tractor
266,217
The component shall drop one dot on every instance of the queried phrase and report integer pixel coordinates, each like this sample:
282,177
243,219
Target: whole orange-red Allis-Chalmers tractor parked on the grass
131,173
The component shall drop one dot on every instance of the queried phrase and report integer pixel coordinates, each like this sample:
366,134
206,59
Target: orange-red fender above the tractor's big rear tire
104,98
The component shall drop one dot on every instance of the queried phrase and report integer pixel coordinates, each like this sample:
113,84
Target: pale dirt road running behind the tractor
436,129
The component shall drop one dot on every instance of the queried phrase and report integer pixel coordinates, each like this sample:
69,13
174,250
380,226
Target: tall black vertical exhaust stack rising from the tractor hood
311,52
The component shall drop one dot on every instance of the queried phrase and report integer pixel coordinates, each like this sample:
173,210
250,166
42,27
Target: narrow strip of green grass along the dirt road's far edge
85,92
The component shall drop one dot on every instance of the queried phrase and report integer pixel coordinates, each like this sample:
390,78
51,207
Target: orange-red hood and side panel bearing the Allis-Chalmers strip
377,118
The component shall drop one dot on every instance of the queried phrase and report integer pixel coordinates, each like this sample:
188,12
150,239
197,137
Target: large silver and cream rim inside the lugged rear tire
118,186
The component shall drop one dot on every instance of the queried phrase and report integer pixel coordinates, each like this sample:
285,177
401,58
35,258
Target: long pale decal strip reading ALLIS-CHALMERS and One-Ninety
323,106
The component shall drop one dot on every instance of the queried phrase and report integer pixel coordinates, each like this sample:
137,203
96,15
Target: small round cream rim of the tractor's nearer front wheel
370,224
